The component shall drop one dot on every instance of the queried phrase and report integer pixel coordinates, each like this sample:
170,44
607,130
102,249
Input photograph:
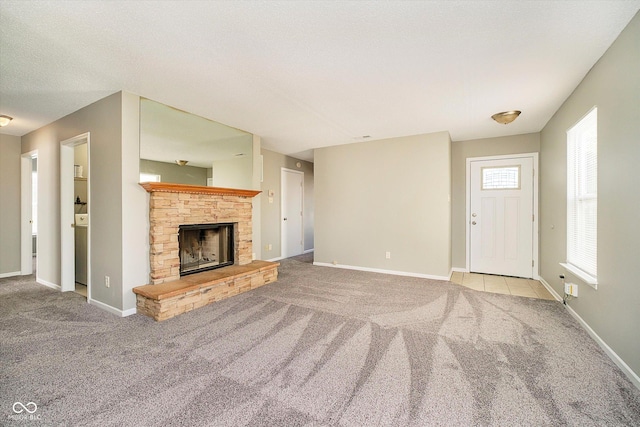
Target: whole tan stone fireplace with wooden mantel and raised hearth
217,225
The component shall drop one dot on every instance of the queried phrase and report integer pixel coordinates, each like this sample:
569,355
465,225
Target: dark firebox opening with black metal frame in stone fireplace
205,247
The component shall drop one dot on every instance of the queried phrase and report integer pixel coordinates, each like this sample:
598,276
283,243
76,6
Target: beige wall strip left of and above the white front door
460,151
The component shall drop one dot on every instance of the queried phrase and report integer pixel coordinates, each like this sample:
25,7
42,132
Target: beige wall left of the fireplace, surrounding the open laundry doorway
102,120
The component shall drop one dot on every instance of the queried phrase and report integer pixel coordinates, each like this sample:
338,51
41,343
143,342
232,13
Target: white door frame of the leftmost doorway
26,200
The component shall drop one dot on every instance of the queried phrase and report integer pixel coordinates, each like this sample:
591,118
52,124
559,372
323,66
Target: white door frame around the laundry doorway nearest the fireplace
67,214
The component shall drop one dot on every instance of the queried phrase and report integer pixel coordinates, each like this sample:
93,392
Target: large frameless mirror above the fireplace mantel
181,148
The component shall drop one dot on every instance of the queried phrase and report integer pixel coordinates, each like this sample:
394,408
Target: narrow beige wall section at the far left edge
9,205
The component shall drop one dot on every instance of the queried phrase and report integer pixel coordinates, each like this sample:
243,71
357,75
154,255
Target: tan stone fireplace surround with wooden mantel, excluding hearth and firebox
172,205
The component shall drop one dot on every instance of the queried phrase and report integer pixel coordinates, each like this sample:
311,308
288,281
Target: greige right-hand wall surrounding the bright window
613,85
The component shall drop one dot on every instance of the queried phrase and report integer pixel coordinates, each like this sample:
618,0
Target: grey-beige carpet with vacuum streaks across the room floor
320,347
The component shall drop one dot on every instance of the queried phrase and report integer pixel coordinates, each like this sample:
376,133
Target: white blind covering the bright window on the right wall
582,194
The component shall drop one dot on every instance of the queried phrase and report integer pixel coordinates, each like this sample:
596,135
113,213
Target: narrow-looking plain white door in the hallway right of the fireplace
292,209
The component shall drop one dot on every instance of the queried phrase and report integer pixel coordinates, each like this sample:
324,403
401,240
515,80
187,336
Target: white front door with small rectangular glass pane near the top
501,216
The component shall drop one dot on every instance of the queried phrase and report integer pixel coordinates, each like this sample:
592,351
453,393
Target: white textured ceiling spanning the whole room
305,74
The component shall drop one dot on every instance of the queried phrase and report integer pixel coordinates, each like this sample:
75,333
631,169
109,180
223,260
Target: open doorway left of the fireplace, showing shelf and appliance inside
75,225
